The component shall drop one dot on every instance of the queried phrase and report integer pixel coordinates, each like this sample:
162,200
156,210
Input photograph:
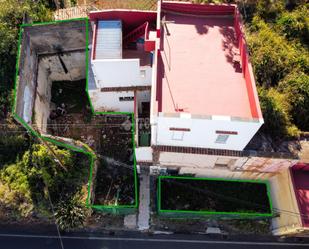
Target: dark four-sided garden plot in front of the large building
211,196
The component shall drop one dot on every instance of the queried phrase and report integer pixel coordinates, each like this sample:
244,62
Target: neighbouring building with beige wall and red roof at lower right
291,189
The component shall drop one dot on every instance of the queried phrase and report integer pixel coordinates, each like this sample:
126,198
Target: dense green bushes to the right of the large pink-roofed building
277,34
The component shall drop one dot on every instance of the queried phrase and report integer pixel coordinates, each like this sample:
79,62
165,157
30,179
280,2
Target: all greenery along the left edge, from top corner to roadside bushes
30,178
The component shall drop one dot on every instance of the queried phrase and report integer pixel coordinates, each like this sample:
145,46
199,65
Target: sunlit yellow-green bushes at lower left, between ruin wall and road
32,184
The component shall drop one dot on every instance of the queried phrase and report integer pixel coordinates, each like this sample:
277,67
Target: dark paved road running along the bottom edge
9,241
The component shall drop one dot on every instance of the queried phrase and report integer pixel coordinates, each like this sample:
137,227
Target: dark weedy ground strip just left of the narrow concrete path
114,178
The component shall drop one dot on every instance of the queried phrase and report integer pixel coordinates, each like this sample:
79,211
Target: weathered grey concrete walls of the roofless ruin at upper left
42,40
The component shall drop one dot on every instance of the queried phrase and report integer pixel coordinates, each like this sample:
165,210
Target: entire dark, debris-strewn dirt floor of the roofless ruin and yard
110,136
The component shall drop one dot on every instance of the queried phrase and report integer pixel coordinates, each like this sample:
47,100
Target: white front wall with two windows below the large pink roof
202,132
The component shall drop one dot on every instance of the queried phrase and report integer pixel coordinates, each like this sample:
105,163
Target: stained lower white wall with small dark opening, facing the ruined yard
109,101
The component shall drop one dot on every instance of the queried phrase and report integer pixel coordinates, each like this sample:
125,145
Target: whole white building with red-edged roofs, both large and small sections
200,85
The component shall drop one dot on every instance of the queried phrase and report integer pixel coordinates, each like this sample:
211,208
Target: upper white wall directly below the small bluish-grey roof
120,73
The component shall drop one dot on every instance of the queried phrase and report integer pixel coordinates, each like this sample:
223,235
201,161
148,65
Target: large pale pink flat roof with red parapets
200,76
